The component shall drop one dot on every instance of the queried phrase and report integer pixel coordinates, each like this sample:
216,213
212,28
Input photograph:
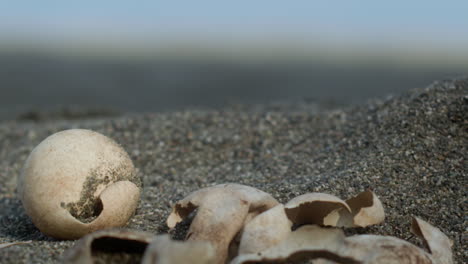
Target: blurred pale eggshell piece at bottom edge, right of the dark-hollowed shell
163,250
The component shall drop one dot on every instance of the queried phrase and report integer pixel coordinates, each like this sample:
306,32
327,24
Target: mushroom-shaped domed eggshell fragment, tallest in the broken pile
222,210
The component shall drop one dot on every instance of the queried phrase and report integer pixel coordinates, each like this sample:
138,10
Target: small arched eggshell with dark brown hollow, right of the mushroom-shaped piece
315,208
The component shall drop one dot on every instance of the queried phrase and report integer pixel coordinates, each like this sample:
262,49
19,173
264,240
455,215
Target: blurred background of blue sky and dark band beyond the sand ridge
102,57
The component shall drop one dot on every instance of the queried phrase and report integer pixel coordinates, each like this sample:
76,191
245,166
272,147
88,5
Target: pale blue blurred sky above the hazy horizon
442,24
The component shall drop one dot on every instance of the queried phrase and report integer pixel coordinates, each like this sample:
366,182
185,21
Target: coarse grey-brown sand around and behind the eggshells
409,149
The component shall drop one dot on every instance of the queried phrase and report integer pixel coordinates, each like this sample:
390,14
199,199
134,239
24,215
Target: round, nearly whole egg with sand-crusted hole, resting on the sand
78,181
